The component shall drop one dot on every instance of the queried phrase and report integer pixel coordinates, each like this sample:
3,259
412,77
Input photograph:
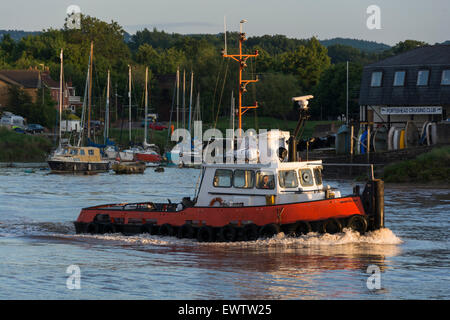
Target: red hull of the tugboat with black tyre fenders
228,223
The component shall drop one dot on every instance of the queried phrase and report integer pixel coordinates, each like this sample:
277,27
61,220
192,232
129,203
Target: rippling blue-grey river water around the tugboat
38,245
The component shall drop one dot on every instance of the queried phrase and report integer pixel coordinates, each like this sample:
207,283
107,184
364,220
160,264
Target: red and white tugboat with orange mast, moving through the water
242,200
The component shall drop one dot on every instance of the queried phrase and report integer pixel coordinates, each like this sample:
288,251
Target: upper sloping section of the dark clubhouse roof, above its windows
429,55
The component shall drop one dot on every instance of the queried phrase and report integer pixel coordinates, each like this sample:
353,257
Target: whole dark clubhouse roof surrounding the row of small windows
435,59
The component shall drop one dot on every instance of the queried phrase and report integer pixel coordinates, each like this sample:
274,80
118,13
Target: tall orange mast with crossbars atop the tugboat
242,58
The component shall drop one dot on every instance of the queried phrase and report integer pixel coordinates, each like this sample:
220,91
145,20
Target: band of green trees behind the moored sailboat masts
285,67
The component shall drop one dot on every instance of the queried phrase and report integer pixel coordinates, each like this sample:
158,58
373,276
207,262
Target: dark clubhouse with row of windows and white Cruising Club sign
413,86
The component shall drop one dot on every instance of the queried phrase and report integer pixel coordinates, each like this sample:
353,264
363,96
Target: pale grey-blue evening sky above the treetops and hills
427,21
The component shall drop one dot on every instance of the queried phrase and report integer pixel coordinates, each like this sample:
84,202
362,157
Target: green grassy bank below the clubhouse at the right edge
428,167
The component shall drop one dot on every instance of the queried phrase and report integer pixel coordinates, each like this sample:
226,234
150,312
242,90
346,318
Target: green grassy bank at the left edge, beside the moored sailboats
19,147
